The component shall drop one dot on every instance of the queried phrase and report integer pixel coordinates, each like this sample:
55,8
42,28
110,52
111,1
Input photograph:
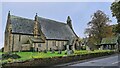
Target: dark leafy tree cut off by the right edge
115,7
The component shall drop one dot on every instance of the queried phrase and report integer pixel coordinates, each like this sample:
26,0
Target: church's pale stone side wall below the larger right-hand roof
50,44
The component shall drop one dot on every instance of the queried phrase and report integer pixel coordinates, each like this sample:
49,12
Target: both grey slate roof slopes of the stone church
50,28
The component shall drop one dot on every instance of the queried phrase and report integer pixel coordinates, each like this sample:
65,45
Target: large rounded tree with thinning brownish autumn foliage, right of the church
98,28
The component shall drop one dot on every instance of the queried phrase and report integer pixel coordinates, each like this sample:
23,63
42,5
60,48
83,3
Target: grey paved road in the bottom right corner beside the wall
106,62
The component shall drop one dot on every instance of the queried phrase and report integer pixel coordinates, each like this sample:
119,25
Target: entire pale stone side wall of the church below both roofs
21,42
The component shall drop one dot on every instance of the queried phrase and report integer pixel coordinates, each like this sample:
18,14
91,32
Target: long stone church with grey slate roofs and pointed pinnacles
23,34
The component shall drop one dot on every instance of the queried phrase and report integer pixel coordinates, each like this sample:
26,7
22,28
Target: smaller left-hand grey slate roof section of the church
22,25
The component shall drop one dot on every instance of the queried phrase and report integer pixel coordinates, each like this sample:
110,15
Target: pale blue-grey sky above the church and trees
80,13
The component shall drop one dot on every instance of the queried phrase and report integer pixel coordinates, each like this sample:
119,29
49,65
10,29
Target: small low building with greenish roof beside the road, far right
109,43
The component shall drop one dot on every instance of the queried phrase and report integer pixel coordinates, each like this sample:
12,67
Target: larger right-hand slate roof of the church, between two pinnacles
55,30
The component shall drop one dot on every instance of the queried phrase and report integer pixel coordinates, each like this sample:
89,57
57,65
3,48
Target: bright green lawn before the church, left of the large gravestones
32,55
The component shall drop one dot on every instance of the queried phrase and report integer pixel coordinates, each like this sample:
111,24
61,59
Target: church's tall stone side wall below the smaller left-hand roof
17,43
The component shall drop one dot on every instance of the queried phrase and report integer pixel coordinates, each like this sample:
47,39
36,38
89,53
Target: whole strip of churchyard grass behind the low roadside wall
31,55
